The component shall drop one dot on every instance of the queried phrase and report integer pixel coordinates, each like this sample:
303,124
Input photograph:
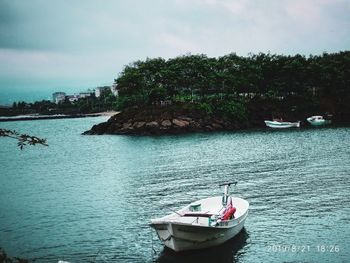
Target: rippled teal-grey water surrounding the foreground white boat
90,198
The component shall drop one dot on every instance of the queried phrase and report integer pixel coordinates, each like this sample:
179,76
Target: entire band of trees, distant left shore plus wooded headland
231,86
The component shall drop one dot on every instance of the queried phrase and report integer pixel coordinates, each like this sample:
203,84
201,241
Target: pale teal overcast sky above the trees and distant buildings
73,45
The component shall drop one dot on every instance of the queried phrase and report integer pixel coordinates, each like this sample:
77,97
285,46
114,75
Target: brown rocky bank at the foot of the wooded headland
159,121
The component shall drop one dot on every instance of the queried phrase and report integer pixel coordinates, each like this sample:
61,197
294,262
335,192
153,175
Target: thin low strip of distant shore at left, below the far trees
31,117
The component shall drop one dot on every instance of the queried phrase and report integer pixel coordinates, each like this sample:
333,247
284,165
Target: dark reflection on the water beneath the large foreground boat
227,252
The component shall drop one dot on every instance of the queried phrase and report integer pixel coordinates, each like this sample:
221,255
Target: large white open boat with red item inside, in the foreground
204,223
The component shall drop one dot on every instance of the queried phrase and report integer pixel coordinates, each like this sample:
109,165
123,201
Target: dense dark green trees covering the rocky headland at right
225,84
